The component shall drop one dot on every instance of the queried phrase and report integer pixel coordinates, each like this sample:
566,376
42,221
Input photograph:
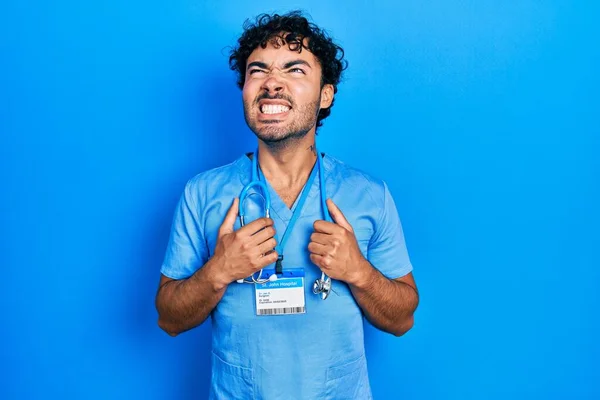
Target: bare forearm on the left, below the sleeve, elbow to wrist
185,304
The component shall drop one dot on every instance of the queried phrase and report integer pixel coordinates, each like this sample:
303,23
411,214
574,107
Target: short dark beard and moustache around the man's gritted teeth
304,118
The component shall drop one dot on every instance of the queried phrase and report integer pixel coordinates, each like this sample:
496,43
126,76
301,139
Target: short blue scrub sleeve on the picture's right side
387,248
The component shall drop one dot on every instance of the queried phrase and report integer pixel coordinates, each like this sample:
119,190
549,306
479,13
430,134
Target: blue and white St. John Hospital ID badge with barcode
281,297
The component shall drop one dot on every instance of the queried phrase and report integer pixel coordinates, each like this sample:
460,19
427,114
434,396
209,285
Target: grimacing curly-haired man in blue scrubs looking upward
278,339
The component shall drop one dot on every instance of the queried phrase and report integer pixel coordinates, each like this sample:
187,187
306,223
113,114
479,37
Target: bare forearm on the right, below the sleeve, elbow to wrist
388,304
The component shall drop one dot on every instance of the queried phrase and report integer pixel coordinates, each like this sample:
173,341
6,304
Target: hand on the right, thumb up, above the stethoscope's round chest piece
334,249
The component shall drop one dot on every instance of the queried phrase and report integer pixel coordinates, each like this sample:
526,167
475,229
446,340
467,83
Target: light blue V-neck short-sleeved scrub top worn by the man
316,355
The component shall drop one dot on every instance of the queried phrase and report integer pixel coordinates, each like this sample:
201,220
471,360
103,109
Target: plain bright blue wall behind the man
482,116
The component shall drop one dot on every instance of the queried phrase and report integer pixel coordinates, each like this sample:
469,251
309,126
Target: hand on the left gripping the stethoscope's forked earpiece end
243,252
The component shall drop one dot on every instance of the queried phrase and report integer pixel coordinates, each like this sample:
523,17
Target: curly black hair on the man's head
290,29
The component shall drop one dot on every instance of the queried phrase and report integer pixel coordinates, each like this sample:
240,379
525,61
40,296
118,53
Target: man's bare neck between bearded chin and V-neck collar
288,166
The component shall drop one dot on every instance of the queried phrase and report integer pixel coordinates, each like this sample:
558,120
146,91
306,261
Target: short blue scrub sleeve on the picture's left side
186,250
